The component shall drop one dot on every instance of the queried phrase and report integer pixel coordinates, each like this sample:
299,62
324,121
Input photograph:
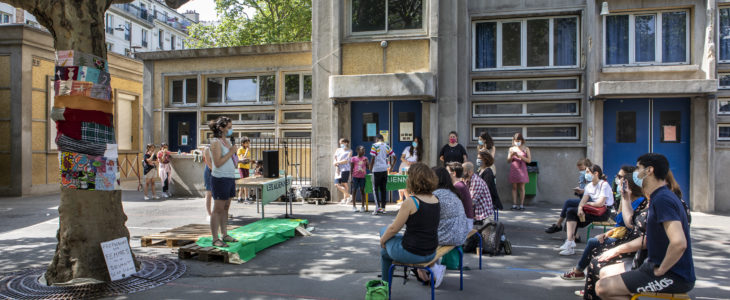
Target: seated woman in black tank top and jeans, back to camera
420,214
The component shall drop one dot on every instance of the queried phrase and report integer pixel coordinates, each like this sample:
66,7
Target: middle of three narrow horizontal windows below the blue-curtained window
515,109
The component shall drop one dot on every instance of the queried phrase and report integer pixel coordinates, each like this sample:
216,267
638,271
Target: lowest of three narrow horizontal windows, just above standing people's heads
530,132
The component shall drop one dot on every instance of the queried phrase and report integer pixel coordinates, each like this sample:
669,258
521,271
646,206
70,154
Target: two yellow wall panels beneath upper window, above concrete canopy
400,57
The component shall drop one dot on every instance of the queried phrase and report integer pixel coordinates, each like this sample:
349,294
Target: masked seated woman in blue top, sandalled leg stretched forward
624,222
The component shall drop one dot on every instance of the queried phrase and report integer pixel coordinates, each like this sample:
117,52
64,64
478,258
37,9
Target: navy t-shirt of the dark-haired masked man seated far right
664,207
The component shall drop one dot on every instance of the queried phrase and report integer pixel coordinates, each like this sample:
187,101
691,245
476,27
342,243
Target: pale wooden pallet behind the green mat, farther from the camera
179,236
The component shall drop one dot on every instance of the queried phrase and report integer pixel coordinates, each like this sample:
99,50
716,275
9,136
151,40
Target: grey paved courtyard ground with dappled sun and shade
342,255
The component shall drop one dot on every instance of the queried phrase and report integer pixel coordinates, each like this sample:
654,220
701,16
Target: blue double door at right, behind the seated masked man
633,127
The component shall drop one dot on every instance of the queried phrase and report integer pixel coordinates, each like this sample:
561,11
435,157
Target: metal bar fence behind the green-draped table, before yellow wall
299,156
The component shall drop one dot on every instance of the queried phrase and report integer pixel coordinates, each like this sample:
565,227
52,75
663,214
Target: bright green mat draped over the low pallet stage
255,237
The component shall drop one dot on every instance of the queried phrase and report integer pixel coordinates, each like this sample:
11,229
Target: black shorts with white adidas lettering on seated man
642,280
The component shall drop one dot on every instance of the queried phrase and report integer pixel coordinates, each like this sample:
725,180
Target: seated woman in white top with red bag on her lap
598,195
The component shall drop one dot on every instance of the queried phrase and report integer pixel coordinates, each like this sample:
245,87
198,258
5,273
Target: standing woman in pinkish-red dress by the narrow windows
518,157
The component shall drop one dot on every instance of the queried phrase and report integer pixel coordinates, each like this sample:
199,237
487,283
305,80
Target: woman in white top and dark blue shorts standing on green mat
223,179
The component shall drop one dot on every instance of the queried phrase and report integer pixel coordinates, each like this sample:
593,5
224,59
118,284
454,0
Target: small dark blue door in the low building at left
182,131
